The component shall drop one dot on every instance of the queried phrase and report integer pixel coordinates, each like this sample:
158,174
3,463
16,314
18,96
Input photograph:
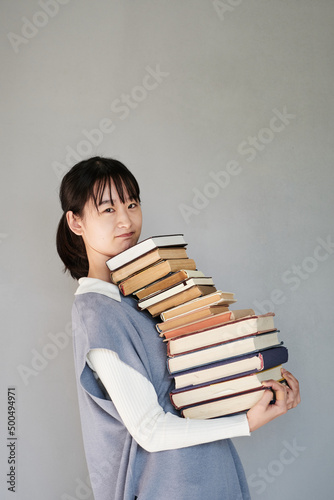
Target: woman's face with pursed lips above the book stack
112,228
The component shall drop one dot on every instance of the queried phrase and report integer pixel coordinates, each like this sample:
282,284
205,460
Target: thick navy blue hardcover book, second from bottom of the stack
232,367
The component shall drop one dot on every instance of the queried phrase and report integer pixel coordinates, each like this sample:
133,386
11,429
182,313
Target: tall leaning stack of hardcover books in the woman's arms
218,357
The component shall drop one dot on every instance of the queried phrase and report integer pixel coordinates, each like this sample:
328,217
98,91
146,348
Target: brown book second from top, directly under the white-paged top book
147,260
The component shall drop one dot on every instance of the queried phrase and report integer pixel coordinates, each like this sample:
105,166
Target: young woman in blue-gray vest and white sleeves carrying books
136,444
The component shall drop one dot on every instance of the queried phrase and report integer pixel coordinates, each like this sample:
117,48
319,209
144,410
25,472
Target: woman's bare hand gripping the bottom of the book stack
286,397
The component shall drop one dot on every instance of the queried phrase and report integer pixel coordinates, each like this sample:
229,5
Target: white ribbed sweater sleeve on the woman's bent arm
137,404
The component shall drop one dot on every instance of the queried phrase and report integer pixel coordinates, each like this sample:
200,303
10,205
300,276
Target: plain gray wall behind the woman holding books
231,139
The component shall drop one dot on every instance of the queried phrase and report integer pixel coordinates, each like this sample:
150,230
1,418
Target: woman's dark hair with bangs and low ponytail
88,179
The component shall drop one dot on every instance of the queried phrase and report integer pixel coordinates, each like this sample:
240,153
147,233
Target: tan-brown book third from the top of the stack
154,272
